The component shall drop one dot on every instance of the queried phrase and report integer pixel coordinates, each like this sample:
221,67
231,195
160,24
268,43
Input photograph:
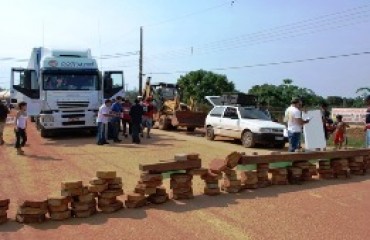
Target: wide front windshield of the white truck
71,81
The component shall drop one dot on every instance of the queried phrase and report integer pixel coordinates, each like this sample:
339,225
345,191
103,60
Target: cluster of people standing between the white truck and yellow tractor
133,117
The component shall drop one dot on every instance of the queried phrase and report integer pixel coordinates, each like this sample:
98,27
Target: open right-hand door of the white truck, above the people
113,84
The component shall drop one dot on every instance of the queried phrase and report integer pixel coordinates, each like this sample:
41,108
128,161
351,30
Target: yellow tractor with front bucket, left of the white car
171,113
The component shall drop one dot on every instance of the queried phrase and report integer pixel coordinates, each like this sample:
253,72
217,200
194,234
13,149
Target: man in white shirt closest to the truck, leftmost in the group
102,120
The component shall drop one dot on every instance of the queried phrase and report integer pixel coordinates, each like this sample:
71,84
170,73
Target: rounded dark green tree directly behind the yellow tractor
201,83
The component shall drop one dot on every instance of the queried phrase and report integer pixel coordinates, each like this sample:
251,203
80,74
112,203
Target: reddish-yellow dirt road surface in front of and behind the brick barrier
335,209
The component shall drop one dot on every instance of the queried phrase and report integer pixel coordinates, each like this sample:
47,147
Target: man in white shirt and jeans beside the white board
293,117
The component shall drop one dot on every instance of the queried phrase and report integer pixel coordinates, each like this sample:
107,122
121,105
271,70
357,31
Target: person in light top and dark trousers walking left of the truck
20,125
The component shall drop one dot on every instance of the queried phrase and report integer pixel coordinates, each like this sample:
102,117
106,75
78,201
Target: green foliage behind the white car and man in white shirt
281,95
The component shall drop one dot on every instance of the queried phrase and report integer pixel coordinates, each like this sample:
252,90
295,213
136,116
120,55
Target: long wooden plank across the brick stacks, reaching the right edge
302,156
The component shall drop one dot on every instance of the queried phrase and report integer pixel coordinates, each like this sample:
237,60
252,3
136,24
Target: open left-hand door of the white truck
24,87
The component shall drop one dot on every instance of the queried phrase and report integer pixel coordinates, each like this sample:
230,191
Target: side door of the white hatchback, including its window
230,123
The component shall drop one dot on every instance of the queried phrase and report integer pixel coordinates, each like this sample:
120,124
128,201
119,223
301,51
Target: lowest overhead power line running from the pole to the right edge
268,64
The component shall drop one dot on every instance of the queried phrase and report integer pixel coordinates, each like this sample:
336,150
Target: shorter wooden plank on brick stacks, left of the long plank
171,166
